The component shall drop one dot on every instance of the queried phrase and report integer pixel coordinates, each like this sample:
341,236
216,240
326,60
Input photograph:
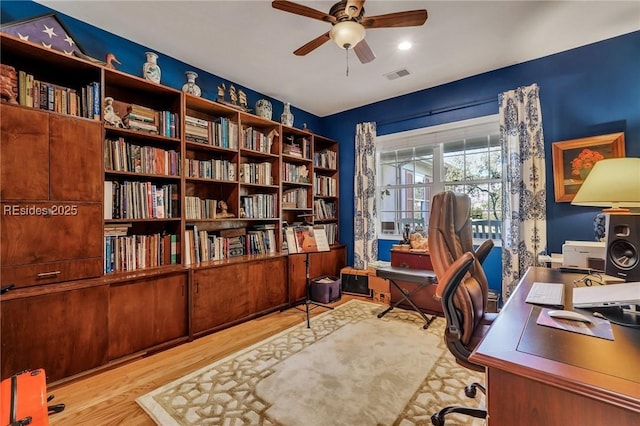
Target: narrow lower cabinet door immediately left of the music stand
268,283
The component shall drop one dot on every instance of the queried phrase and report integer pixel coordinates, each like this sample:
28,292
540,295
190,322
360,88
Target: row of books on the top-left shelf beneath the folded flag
52,97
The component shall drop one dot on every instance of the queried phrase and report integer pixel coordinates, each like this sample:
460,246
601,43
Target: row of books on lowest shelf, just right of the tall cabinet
133,252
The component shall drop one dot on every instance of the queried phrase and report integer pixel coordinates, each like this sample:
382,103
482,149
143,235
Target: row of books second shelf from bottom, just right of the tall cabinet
140,200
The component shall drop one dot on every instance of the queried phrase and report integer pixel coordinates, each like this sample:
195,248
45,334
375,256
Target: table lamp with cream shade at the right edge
613,183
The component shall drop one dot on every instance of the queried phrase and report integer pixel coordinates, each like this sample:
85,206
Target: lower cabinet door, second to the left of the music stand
220,296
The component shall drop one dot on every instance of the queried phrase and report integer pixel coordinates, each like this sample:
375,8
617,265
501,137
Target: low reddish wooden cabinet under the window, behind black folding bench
424,298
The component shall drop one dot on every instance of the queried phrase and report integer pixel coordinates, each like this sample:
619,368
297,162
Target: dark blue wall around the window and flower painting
584,92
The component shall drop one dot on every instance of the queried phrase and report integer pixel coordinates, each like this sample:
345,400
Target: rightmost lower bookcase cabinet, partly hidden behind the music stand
320,263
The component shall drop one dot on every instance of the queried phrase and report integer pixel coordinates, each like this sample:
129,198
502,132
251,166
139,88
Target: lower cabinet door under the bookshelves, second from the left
146,312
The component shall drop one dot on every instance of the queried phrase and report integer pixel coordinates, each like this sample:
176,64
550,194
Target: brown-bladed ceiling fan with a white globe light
349,25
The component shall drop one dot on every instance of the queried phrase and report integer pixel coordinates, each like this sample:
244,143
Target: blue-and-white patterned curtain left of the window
365,244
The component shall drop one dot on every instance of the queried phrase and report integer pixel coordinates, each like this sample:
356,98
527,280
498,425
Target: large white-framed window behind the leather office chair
463,157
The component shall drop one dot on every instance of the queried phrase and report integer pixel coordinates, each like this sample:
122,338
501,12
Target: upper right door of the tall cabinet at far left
76,159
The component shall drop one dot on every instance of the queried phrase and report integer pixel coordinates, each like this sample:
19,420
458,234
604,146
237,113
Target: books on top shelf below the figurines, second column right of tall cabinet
221,132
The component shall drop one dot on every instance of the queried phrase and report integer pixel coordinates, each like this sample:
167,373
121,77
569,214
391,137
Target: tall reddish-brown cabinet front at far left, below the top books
51,197
